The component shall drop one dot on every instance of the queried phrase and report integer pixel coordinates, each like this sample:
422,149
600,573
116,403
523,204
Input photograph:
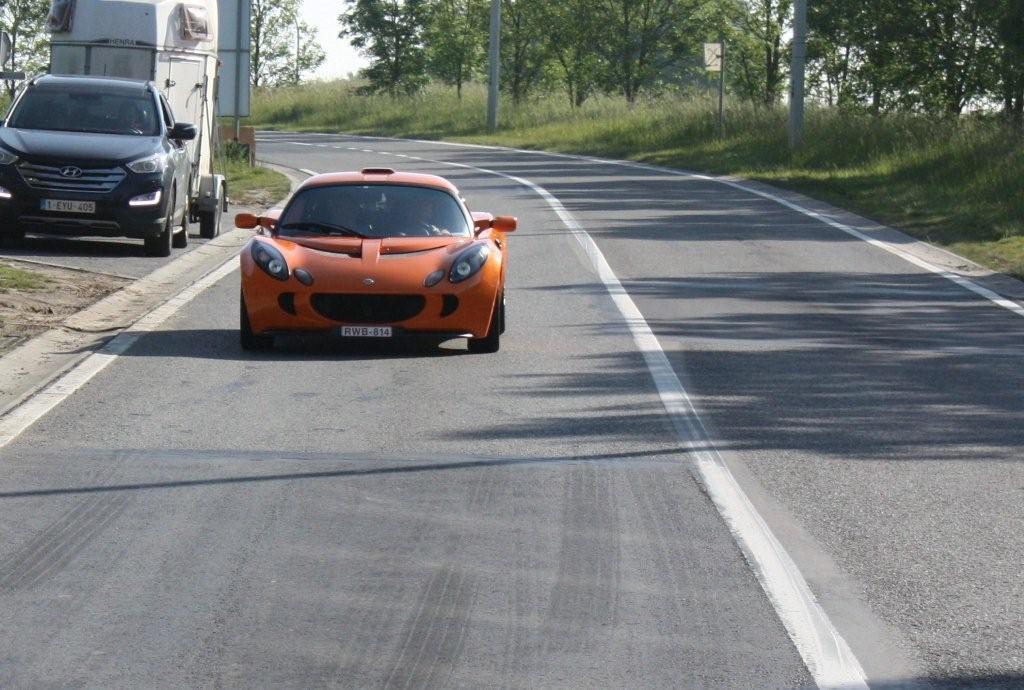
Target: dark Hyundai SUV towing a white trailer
94,156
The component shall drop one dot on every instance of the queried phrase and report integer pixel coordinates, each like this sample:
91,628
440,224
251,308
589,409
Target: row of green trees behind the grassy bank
940,57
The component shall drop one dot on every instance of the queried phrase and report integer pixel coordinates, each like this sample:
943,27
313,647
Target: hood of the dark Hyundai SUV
77,148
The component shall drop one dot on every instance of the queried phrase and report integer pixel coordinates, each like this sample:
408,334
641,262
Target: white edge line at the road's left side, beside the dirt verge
23,417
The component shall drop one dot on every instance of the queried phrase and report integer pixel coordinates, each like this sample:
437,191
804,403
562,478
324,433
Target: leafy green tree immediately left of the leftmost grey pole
455,38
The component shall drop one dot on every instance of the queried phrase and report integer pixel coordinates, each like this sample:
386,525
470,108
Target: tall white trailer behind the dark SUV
168,42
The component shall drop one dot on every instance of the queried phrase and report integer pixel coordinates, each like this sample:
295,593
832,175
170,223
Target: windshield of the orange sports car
374,211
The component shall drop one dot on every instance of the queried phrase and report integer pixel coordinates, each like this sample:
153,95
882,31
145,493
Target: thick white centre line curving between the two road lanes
826,654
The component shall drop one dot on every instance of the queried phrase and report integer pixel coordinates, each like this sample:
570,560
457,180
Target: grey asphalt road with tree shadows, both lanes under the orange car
421,517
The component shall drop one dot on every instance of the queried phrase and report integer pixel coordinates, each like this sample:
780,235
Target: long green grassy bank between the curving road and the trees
956,184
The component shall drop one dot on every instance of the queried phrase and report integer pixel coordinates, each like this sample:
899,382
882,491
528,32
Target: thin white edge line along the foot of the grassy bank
965,283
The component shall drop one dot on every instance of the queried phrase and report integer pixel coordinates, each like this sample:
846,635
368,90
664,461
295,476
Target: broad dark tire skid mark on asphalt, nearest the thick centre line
588,567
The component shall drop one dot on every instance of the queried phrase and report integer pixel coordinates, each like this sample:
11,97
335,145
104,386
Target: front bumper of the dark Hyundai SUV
114,219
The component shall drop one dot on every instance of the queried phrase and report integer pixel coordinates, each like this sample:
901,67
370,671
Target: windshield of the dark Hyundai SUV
71,111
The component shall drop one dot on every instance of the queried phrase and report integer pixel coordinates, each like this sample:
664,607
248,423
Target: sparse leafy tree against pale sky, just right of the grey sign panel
284,48
